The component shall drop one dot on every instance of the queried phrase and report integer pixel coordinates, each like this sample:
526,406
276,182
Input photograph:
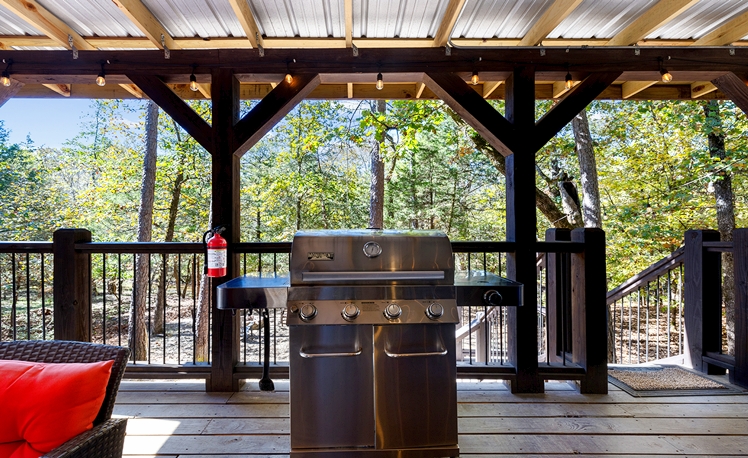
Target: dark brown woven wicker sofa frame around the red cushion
107,437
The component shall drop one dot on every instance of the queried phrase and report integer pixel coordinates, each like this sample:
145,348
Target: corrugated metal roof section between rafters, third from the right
498,18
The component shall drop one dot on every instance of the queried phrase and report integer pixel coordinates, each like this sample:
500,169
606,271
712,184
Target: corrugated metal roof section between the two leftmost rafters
88,18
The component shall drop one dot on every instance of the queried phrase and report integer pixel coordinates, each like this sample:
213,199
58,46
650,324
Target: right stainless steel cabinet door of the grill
415,385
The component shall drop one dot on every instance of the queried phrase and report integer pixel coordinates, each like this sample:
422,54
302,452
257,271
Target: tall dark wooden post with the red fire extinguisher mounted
225,188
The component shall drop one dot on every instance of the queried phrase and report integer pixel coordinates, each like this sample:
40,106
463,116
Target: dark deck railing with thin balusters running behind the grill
85,289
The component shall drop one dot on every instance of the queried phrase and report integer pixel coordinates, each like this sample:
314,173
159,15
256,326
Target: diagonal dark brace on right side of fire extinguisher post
271,109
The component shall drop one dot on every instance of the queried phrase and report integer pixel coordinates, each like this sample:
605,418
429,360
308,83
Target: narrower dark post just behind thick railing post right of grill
558,307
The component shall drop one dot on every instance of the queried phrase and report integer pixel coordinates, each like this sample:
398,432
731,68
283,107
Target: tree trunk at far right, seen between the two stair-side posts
724,199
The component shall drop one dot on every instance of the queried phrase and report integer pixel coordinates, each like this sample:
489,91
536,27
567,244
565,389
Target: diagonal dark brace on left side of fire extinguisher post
182,113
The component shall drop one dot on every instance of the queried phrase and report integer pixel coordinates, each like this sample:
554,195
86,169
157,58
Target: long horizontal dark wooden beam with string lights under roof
375,60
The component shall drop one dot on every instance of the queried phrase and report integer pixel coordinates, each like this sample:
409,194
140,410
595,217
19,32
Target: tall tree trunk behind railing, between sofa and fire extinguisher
137,330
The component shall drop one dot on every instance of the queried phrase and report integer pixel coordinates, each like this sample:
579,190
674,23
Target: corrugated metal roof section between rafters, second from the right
600,19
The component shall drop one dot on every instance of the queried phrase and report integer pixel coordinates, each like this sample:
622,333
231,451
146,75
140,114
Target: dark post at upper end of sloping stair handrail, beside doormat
703,300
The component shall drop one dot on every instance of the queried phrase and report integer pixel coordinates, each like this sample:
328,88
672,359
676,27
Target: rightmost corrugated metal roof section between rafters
700,19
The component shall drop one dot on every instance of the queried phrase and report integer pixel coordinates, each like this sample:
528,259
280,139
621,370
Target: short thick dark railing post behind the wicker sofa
71,286
